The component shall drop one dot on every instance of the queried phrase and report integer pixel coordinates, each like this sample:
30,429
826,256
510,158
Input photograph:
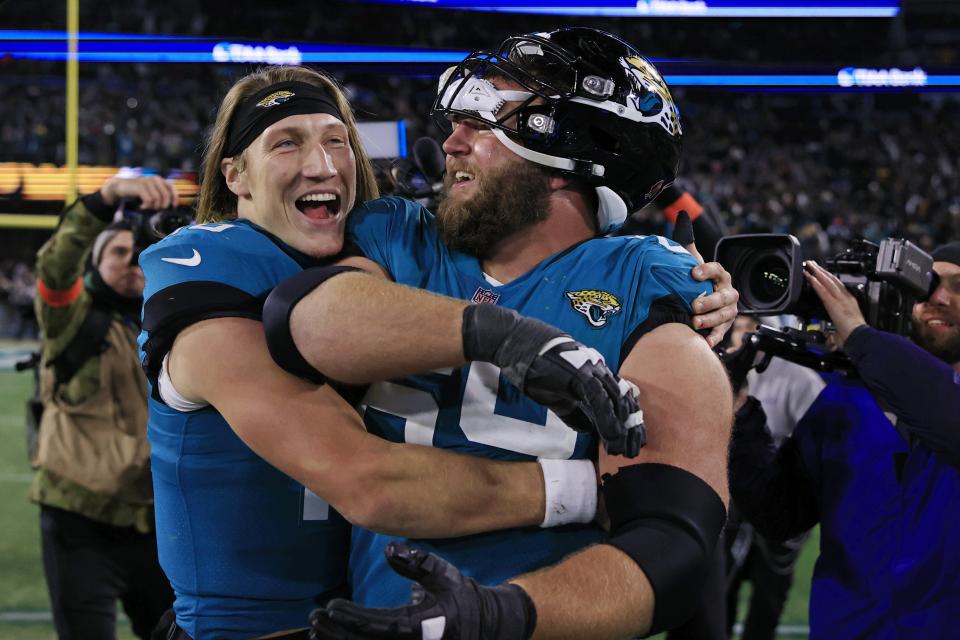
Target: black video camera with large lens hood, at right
887,279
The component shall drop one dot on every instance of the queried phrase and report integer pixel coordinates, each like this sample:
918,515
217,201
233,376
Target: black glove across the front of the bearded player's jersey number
555,370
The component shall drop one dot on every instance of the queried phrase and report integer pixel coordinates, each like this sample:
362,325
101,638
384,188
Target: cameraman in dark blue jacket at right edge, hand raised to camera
876,461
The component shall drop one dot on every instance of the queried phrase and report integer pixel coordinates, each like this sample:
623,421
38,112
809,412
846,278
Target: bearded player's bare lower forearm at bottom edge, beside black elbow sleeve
598,593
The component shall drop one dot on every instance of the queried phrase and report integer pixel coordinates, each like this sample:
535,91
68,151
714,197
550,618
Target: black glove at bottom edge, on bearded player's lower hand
446,605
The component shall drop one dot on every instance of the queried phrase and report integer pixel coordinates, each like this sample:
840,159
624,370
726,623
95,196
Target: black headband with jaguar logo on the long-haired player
272,104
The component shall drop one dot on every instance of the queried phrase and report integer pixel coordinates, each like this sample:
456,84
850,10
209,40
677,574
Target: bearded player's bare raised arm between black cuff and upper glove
356,328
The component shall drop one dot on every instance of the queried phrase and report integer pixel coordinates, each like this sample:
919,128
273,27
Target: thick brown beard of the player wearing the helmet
505,200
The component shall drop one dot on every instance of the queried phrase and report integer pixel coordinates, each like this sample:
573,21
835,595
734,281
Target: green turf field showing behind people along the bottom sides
24,607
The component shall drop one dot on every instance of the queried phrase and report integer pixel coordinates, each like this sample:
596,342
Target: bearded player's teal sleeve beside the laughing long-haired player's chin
397,234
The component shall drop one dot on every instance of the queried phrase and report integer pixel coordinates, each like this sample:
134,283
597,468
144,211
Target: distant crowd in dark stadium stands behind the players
826,166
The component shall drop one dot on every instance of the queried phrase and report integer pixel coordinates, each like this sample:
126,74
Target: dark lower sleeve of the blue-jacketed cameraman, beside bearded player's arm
770,486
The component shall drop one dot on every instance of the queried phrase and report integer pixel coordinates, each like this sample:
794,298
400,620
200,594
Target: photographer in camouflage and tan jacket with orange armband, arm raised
93,475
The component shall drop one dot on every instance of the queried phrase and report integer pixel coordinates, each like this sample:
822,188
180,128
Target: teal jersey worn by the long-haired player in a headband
248,550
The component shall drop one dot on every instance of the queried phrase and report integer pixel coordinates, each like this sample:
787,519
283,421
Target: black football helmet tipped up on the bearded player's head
589,105
